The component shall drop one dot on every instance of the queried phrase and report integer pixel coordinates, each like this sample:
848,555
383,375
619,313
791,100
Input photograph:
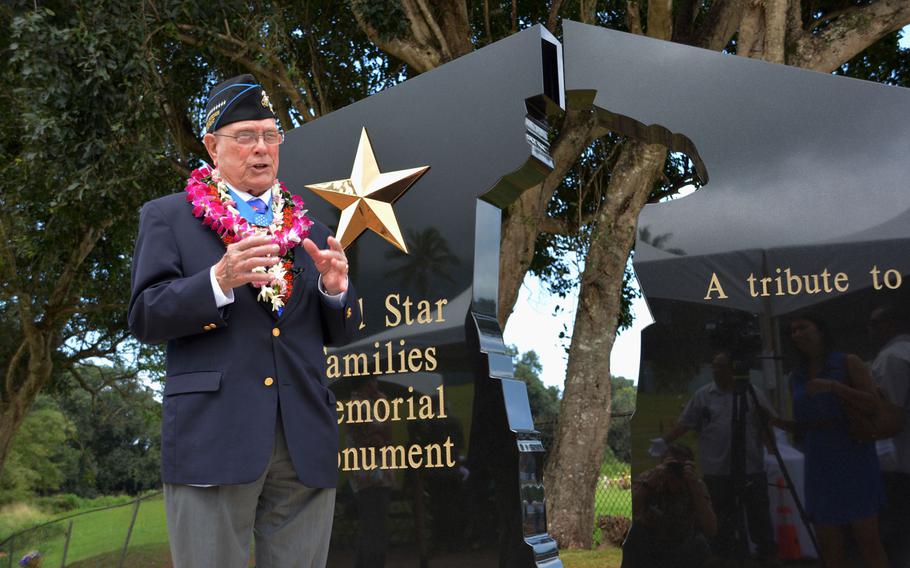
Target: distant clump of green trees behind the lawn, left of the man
102,437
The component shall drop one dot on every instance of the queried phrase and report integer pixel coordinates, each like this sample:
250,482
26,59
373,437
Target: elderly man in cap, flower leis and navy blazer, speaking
246,290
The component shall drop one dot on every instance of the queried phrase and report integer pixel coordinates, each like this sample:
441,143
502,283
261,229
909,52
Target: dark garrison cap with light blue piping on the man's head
238,98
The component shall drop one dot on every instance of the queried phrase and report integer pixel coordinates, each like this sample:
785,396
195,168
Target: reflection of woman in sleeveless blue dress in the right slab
842,479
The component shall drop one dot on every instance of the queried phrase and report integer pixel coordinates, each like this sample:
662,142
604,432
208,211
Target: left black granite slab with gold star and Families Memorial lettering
440,464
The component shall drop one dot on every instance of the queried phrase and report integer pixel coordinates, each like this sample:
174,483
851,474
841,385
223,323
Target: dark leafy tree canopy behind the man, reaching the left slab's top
100,113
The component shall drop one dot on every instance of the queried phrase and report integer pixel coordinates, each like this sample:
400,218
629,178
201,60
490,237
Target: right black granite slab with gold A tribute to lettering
783,275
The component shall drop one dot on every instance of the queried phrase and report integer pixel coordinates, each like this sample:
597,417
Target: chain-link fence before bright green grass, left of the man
133,534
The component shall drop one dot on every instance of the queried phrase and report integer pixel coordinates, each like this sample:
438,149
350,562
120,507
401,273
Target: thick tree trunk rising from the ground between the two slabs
584,417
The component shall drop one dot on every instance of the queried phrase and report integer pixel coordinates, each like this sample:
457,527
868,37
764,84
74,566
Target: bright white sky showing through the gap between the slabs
533,325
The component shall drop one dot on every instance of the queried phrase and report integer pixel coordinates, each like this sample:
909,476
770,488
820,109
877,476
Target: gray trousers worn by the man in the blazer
212,526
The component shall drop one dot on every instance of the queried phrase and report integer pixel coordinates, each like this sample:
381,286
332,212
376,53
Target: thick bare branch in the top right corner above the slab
852,32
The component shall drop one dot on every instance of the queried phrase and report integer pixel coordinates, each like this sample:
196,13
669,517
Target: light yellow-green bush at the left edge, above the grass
36,461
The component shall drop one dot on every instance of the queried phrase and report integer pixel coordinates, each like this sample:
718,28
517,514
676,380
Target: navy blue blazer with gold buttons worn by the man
229,369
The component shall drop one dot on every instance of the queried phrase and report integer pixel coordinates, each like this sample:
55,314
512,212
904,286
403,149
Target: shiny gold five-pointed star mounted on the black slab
366,198
